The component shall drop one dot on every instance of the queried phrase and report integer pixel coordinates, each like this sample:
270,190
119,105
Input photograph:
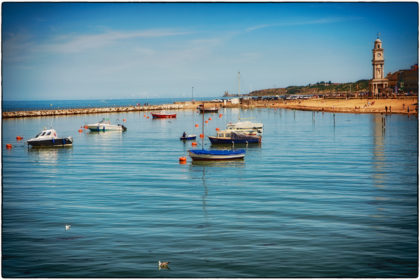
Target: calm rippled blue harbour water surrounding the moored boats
325,195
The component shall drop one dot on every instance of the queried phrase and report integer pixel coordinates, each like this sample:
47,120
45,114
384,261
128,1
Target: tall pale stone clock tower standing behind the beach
378,84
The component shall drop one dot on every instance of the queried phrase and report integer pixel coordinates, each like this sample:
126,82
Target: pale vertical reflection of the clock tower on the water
379,125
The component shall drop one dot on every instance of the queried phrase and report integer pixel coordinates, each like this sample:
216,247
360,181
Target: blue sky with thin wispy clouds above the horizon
152,50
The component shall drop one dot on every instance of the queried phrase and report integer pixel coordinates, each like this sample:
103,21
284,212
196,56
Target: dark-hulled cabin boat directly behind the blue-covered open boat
235,137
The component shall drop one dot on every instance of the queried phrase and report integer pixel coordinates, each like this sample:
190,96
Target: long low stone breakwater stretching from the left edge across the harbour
63,112
